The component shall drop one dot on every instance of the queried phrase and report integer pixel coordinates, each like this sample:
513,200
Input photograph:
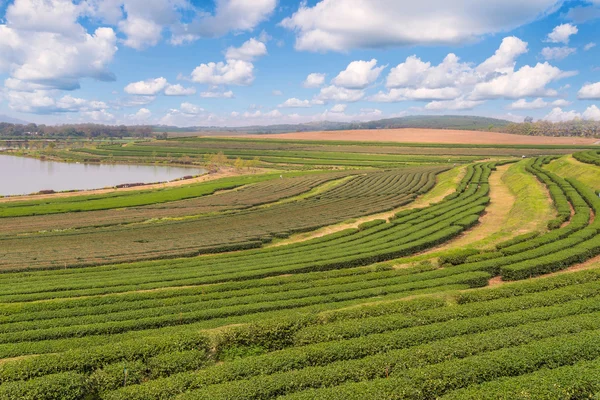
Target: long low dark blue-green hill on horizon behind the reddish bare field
460,122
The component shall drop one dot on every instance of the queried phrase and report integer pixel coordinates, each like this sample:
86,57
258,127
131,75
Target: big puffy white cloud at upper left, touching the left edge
58,57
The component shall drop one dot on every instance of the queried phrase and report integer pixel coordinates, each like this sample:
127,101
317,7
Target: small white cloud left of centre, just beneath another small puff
233,72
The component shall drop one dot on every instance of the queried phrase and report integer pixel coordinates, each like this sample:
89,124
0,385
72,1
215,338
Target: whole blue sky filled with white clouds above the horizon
259,62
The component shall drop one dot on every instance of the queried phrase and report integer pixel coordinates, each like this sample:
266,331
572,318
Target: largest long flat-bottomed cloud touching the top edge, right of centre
340,25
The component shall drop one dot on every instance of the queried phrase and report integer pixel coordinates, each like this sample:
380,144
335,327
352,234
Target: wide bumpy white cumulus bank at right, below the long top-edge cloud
452,79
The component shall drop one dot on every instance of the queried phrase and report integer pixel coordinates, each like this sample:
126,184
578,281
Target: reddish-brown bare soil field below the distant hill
426,136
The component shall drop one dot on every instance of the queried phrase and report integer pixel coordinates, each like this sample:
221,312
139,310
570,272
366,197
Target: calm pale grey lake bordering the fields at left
20,175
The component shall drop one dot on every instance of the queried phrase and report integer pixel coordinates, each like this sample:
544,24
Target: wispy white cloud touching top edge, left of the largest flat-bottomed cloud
229,16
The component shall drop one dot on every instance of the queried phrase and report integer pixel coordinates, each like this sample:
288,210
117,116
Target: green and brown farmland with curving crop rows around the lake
336,270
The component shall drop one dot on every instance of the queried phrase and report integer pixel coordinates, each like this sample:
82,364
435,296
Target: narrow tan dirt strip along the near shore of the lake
223,173
